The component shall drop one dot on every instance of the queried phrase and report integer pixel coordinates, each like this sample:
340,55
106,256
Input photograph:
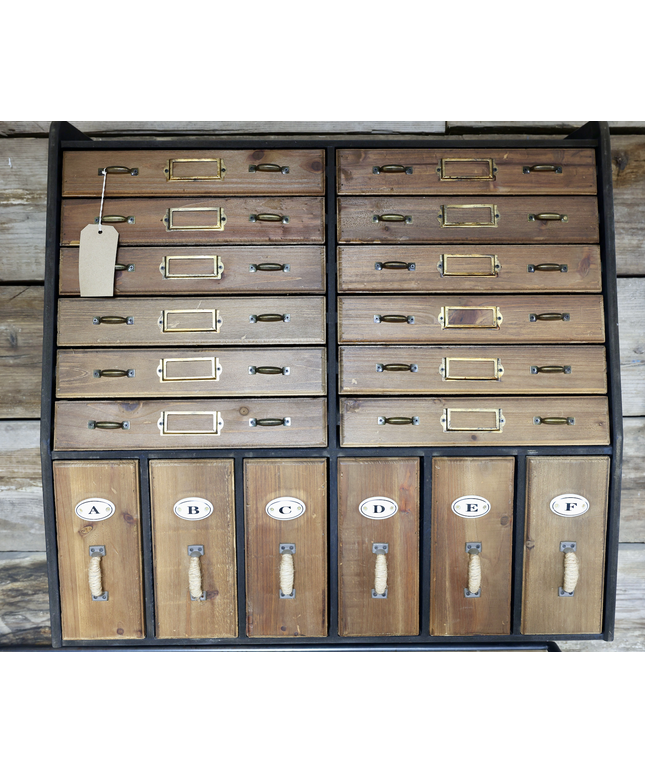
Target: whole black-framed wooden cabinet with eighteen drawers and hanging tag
342,393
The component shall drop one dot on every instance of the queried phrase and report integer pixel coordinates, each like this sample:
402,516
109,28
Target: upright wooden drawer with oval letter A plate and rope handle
97,509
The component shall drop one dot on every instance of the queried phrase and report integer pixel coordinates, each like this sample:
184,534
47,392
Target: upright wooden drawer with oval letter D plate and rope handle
378,596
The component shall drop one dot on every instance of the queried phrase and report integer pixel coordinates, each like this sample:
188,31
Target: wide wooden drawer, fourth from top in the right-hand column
471,319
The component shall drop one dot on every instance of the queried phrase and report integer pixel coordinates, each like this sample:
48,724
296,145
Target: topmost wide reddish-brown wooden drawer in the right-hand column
464,171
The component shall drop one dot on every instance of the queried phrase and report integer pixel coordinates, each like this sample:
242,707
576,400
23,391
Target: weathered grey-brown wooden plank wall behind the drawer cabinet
23,163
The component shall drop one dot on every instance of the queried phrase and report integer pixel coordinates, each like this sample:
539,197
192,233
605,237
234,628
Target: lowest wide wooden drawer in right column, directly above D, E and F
497,421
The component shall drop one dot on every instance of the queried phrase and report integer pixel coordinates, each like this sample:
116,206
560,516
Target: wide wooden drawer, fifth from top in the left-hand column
137,373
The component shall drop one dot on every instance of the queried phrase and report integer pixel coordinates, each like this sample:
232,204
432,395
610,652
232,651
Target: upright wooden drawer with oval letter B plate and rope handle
195,589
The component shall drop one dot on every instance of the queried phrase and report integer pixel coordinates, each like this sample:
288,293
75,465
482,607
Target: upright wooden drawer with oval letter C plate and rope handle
286,553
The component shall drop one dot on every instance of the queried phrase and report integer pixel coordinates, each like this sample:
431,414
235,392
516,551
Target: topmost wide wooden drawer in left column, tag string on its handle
193,173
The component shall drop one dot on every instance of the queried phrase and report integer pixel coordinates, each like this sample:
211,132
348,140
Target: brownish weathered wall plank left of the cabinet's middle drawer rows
21,327
